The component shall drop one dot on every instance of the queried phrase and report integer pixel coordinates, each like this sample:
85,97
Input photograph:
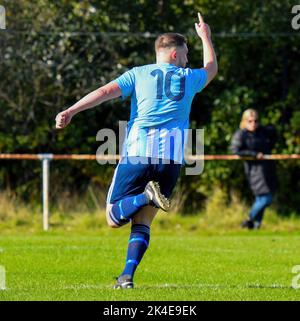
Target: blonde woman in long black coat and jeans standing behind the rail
255,140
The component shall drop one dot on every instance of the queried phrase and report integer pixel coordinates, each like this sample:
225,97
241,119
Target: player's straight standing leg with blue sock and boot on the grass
137,245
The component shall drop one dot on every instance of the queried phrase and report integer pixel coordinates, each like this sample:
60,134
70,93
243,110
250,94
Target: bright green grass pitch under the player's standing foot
177,266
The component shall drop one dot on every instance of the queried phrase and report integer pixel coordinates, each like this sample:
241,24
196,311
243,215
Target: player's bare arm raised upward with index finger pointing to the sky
209,55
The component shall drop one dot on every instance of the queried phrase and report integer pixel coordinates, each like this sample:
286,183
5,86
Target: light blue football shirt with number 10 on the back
161,97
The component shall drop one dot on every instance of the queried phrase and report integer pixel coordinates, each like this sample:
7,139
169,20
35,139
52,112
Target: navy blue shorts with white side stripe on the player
131,179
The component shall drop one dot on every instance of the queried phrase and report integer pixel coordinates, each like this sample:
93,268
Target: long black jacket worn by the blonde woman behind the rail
261,174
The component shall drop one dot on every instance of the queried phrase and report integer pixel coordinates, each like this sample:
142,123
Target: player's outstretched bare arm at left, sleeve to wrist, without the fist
95,98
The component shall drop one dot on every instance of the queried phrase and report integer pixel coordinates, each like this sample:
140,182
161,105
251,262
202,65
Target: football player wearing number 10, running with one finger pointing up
161,97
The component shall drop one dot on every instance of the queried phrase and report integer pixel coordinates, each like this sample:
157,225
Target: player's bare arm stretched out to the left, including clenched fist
96,97
